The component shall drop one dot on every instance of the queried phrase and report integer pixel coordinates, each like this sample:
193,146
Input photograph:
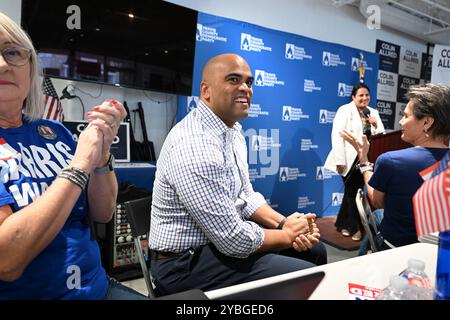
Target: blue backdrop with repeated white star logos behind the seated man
299,84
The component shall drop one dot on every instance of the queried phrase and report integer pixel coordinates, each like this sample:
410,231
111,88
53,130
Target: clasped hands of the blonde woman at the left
95,140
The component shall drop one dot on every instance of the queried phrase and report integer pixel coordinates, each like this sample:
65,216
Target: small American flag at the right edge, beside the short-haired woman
432,200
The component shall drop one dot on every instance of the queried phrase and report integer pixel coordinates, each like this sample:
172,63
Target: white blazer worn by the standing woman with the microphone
342,153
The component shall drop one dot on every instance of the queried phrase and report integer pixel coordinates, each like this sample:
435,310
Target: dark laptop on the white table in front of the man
299,288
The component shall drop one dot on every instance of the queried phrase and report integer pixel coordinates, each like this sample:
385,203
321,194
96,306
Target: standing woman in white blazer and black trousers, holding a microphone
355,118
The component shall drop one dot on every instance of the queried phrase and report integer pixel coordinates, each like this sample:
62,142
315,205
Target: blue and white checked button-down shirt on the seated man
202,192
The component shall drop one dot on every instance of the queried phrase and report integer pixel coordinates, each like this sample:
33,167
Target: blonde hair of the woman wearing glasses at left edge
33,105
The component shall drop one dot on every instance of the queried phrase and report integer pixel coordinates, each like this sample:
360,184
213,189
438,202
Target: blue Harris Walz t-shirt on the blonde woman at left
69,267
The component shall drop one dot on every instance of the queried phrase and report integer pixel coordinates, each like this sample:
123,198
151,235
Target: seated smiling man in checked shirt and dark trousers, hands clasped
209,229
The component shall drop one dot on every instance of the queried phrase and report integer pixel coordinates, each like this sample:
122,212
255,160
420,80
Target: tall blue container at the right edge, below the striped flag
443,268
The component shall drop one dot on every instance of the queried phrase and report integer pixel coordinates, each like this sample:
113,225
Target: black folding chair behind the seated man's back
138,212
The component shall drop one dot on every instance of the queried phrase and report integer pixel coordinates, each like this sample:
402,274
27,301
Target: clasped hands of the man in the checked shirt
297,226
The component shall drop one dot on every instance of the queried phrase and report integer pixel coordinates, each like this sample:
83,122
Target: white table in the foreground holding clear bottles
372,270
